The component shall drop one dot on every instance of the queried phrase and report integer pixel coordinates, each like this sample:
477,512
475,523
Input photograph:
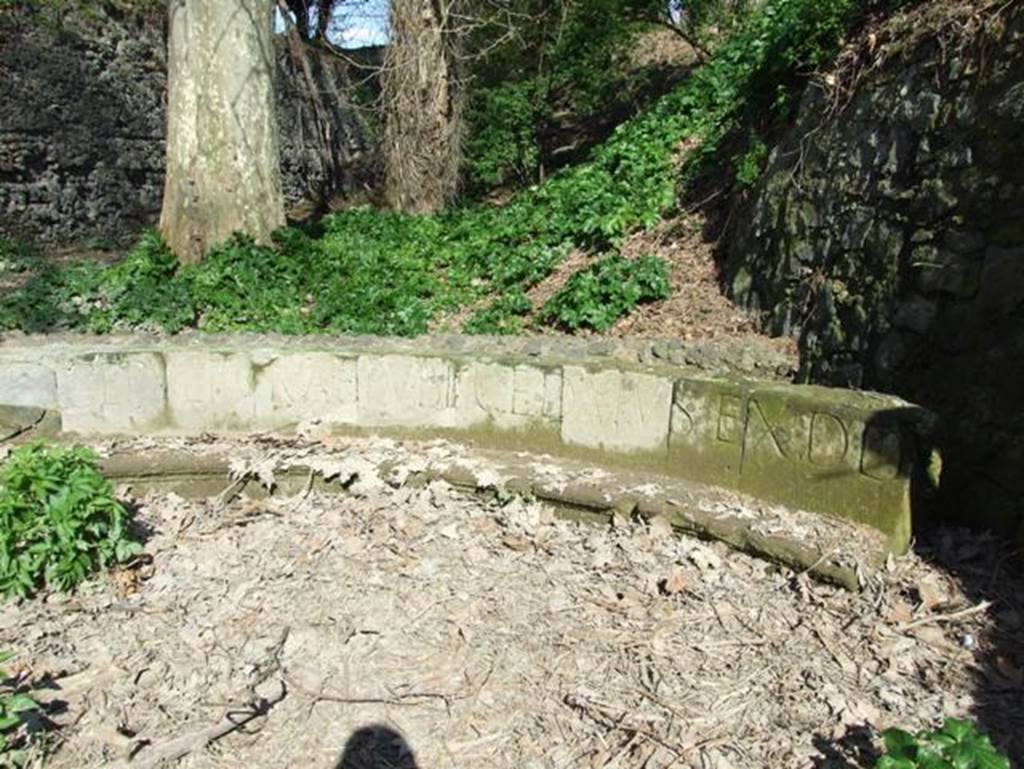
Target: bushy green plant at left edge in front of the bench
60,521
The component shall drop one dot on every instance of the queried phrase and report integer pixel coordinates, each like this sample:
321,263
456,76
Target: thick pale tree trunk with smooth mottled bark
224,163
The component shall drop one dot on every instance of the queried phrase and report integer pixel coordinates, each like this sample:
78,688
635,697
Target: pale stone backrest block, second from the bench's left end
113,393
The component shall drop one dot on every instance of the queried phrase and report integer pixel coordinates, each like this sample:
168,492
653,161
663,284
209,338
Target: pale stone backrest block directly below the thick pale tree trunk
210,391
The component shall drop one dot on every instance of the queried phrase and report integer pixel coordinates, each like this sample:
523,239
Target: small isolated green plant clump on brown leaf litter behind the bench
596,297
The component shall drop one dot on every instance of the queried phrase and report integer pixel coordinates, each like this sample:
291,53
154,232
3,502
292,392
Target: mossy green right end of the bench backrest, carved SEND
845,454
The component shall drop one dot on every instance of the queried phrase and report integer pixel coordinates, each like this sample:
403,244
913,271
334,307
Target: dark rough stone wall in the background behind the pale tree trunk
82,112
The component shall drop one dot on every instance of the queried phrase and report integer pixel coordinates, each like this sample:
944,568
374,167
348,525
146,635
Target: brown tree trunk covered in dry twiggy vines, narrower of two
422,103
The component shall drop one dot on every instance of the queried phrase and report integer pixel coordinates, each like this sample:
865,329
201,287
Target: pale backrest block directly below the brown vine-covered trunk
406,392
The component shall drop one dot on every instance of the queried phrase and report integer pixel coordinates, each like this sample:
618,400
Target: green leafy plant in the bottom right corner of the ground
958,745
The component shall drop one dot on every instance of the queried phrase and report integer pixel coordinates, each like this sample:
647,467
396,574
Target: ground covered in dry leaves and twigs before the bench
407,627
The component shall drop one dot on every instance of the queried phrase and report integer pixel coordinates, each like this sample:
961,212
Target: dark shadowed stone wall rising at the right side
888,238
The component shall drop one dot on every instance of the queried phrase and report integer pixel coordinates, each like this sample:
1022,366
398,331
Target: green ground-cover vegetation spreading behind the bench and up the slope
365,271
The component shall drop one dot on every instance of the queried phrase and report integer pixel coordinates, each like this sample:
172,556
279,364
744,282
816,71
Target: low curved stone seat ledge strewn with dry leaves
832,550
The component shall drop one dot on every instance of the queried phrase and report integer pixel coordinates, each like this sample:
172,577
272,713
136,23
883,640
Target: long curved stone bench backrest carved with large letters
846,454
